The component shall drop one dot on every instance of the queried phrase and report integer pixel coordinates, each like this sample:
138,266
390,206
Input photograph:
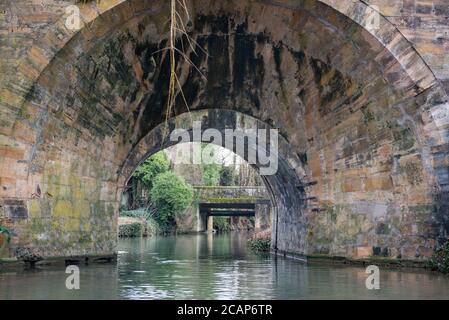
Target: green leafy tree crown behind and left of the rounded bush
152,167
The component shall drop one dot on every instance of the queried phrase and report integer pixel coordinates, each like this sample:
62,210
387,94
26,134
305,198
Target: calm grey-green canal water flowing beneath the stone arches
214,267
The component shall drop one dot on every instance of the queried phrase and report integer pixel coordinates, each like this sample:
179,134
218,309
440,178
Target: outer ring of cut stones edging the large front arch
113,13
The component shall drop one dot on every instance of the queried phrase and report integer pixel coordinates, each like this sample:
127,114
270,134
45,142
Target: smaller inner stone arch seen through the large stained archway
286,187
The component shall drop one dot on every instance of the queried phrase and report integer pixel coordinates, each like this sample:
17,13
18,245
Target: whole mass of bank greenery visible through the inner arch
160,192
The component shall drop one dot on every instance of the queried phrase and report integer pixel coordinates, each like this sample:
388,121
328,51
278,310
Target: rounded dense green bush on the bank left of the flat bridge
171,196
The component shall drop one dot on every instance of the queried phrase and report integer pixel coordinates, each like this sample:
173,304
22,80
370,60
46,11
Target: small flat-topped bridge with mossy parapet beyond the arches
233,202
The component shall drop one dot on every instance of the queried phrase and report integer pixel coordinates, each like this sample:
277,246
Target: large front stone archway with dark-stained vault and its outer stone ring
360,109
